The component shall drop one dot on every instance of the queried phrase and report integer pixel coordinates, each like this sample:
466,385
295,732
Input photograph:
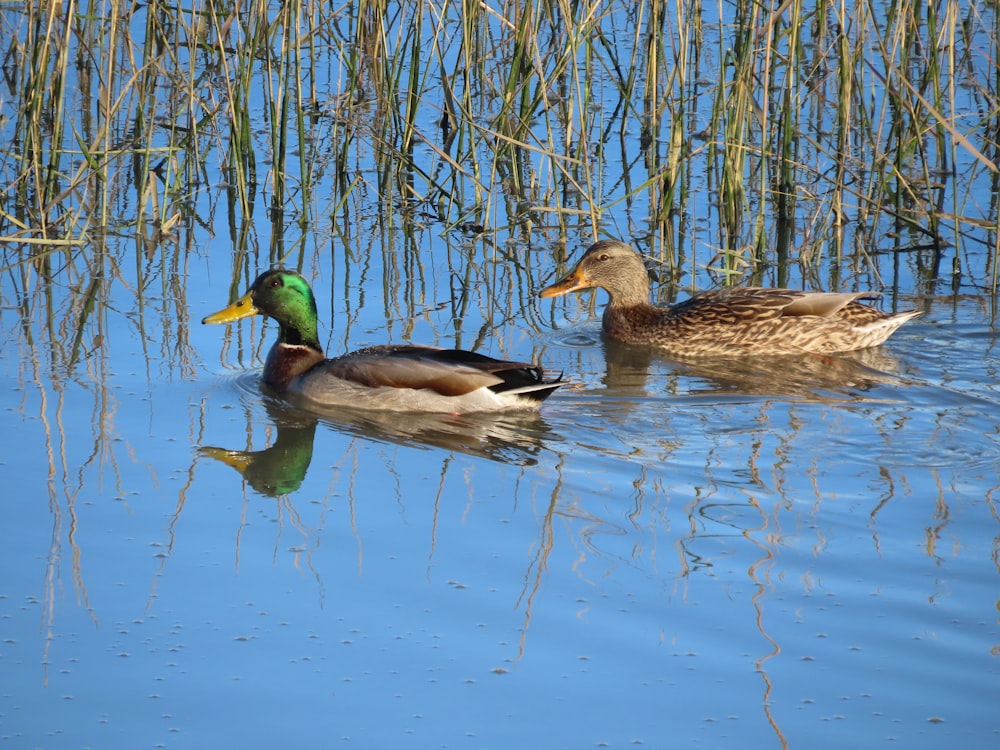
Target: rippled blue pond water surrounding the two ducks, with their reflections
791,553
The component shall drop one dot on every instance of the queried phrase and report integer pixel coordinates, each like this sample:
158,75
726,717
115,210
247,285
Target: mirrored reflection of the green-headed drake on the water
280,469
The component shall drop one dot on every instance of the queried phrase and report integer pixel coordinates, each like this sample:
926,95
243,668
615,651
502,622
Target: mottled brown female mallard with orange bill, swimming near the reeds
725,321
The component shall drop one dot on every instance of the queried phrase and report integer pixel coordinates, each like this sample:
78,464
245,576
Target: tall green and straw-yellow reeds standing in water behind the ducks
733,137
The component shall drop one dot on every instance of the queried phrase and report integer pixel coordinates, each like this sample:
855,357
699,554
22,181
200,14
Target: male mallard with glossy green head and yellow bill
400,378
